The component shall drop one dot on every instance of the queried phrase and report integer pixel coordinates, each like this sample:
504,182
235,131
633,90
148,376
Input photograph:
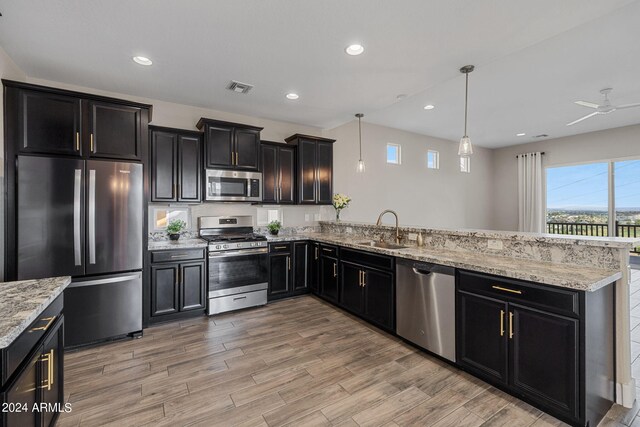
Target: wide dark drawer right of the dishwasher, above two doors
558,300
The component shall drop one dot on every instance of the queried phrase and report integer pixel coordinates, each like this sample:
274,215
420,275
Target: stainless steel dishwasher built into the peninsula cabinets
425,306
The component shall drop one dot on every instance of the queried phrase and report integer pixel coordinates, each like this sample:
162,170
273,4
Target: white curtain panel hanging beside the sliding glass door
530,202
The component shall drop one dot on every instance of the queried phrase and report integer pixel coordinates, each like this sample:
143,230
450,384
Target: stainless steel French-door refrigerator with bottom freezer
83,218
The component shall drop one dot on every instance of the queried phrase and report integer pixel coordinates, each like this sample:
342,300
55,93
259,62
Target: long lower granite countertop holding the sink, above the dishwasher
562,275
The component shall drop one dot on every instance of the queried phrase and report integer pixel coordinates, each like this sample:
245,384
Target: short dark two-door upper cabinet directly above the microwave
230,145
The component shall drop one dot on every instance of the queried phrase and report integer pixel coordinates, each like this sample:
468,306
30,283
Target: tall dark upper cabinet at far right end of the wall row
314,176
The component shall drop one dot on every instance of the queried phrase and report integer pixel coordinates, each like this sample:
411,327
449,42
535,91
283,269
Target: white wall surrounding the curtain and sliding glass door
608,144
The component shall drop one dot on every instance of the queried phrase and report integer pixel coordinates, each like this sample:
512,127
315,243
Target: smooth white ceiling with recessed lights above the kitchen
533,58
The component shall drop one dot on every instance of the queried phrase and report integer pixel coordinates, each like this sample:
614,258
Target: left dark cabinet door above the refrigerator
49,123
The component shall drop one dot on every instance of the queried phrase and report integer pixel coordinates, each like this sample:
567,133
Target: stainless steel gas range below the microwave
238,263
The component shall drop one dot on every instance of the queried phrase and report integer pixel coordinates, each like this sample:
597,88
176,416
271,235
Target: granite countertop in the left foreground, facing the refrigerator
22,302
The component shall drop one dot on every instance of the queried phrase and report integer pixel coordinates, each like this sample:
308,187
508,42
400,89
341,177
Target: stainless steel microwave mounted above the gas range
233,186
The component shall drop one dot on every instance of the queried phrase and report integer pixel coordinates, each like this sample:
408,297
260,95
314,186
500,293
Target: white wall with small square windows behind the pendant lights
421,196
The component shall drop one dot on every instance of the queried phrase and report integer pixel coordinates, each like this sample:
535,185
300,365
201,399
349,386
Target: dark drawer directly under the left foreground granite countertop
24,344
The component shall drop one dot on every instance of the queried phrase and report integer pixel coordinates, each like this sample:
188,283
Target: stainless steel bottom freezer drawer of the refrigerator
102,307
